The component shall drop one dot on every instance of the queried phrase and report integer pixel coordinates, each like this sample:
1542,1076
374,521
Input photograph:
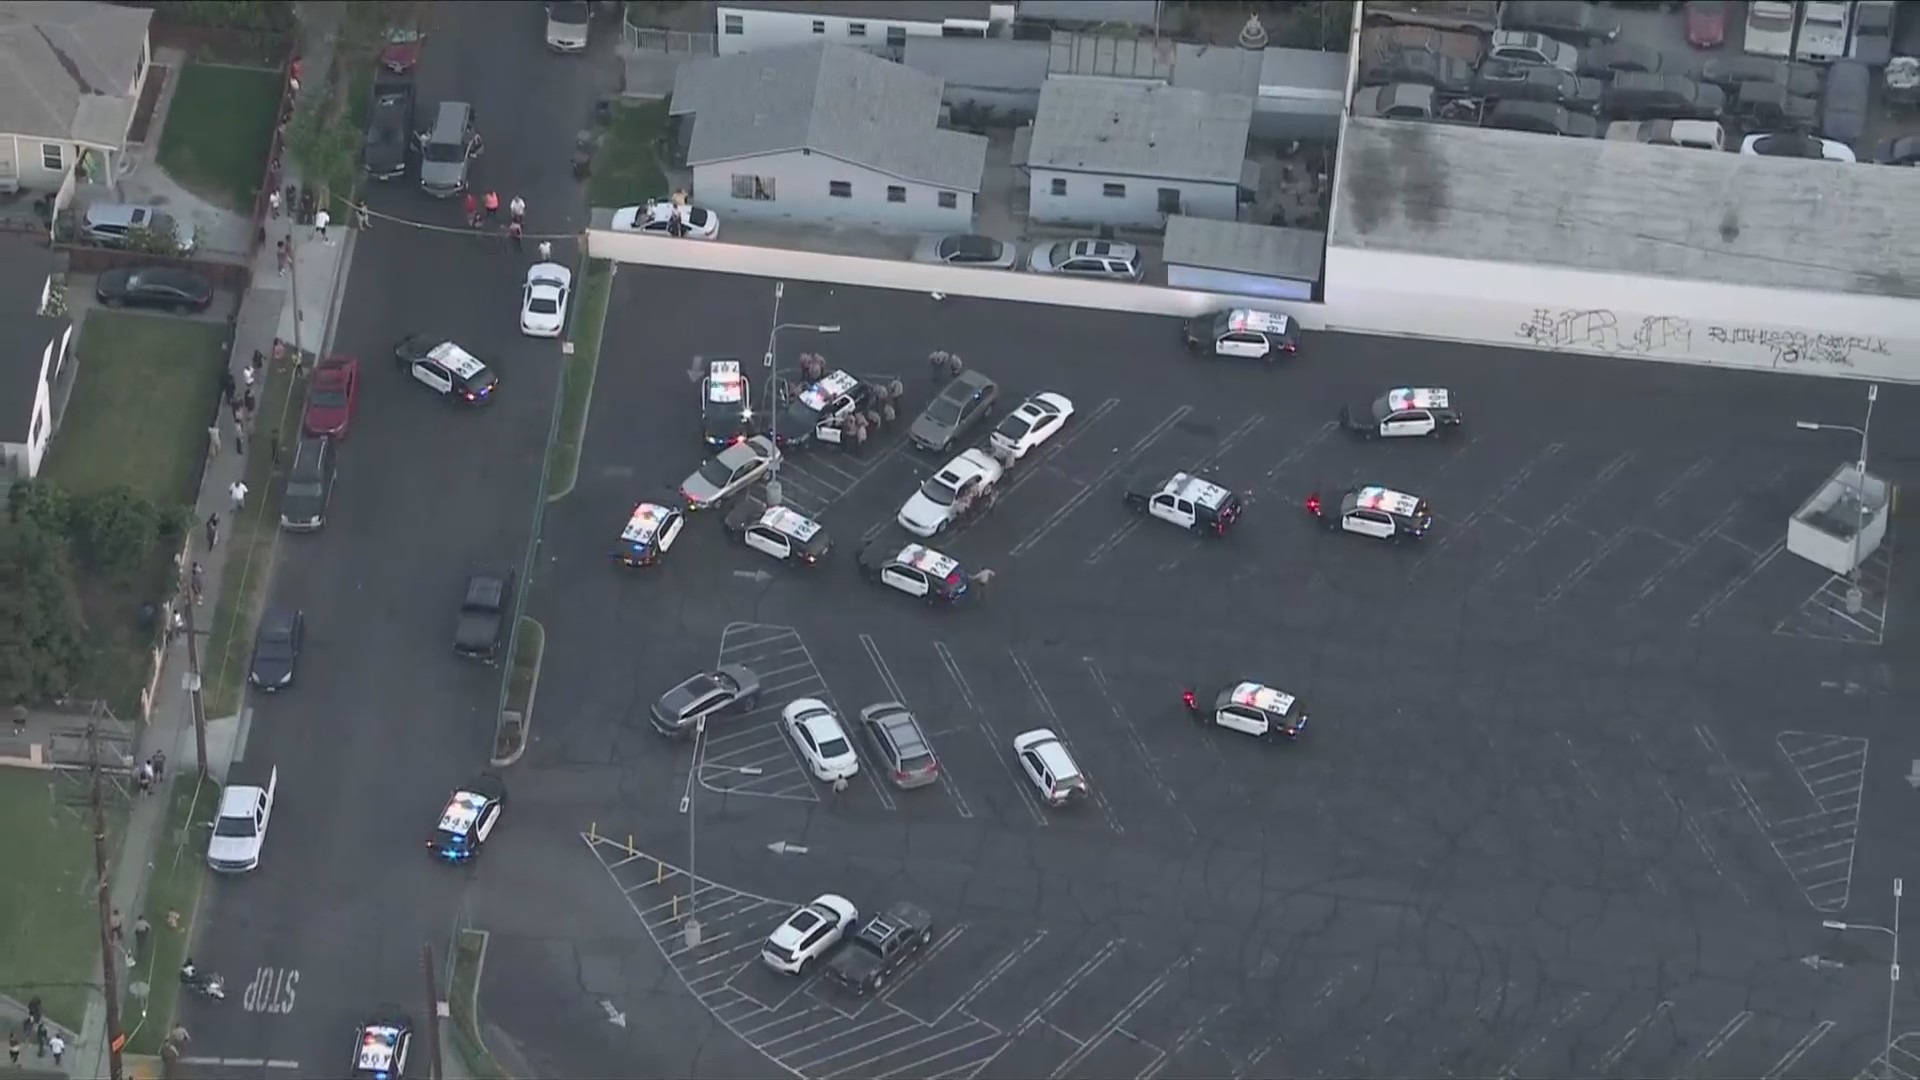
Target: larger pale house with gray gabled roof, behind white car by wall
825,134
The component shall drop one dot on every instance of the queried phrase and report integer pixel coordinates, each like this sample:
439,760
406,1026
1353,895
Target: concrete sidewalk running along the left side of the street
272,310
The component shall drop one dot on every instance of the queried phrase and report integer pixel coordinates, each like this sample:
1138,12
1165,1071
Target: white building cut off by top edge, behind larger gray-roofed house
748,26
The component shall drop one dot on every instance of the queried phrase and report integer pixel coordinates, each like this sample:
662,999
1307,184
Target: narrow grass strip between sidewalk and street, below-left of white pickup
172,904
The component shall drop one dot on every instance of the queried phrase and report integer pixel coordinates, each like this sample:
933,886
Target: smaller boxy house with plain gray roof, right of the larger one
1134,153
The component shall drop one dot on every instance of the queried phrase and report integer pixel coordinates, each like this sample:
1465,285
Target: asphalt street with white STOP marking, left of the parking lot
385,720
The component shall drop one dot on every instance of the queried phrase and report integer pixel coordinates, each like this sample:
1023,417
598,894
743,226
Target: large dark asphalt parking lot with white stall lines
1589,768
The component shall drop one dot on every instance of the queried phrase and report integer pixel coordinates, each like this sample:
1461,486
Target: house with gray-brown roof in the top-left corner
70,84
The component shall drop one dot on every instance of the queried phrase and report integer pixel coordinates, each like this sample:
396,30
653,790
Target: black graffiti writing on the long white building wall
1598,330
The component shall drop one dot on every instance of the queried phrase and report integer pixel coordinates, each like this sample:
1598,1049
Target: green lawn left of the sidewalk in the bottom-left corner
49,923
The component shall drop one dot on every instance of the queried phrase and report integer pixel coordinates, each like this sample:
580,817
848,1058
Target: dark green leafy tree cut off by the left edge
43,635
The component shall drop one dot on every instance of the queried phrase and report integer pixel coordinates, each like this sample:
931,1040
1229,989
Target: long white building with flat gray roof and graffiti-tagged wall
1625,249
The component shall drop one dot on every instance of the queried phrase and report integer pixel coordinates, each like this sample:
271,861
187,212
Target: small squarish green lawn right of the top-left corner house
220,130
